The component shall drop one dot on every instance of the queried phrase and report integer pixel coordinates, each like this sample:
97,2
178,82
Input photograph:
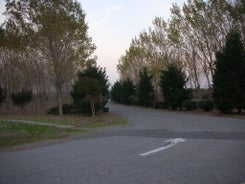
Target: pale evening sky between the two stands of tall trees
114,23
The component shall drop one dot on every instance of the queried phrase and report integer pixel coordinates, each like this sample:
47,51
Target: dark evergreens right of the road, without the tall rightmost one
173,88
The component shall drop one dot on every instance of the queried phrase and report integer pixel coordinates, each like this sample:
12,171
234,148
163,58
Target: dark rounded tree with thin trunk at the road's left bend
91,85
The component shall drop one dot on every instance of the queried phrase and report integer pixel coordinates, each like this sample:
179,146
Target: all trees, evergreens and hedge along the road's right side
195,61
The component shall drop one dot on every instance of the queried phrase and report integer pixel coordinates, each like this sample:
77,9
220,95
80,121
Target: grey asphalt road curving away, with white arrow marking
213,153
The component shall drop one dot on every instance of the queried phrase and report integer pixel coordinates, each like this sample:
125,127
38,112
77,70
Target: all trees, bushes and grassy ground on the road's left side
49,75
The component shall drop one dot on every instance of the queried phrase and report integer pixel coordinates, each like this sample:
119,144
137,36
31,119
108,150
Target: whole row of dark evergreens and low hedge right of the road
228,89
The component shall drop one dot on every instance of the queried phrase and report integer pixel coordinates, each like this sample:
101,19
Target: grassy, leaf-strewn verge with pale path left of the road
17,133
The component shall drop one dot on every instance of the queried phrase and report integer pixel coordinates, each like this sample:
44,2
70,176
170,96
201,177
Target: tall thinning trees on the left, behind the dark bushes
44,45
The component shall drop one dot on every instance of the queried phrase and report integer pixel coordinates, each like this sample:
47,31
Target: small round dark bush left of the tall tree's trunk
22,98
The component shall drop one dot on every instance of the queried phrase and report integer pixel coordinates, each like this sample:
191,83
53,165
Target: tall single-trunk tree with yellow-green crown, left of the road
57,30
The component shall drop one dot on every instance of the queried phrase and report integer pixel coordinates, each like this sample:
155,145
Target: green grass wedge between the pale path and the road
14,133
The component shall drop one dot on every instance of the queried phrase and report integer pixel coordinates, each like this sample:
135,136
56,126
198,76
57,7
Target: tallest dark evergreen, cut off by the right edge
229,77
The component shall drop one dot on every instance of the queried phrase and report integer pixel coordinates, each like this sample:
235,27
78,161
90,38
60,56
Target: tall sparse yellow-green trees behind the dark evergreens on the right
189,39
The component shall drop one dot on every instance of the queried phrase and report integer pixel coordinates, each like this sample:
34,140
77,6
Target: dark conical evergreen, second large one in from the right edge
172,83
